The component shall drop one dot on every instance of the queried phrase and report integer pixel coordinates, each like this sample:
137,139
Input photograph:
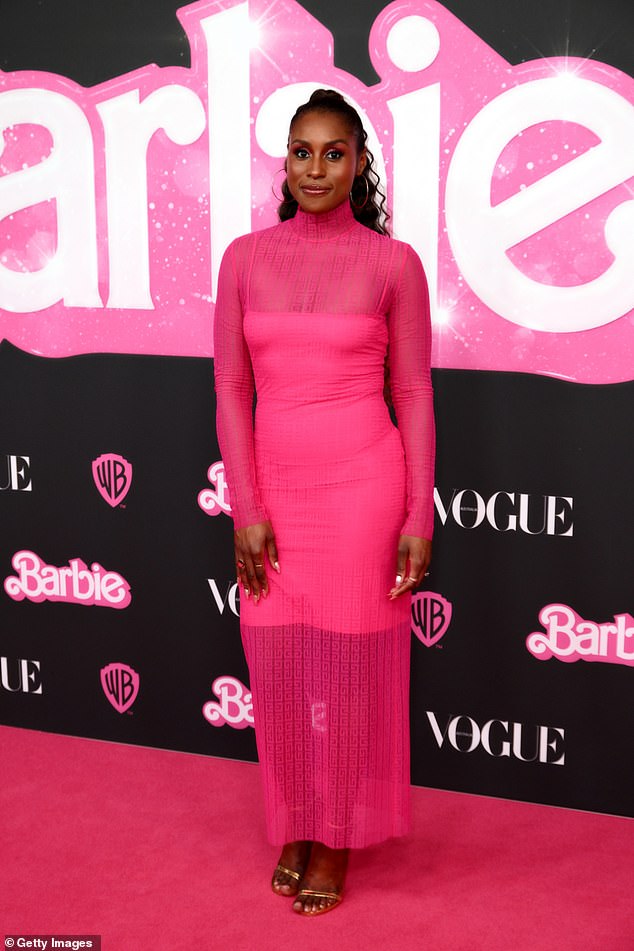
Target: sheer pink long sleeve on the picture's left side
234,394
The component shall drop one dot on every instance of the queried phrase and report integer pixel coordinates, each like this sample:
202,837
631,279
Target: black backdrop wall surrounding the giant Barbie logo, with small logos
104,458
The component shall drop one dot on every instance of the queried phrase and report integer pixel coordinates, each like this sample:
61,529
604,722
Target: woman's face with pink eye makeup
322,161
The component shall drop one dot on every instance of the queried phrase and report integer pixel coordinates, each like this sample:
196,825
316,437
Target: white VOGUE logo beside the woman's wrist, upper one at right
507,511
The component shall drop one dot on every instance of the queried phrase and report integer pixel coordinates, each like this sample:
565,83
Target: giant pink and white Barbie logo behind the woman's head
513,183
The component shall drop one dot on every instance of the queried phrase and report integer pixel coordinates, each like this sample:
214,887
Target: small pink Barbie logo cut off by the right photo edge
570,638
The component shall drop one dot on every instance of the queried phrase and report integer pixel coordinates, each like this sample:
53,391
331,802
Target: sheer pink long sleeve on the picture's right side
410,379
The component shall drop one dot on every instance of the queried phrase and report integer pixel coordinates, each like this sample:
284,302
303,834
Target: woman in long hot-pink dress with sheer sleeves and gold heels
330,501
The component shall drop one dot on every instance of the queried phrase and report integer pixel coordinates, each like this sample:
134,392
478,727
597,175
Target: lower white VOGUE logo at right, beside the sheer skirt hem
499,738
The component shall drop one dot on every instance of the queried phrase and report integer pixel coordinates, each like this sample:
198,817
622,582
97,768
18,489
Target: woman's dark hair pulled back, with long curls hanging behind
368,207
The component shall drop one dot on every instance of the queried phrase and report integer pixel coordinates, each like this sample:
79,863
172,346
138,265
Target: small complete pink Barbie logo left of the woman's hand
76,583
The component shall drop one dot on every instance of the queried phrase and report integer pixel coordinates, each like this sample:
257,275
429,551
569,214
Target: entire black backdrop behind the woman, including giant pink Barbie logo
507,146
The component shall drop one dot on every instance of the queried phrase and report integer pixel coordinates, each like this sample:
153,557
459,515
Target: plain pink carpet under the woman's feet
163,851
